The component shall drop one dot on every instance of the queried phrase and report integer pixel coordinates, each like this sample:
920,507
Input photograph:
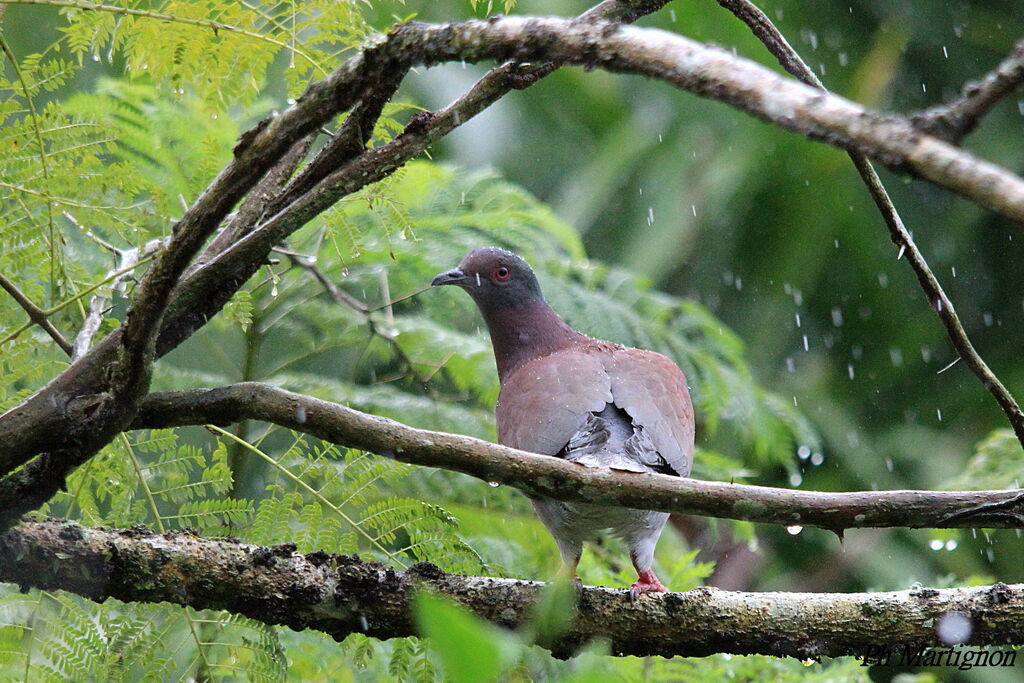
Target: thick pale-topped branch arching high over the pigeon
49,420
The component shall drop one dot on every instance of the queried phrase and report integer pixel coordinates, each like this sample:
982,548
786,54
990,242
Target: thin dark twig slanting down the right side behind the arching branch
766,32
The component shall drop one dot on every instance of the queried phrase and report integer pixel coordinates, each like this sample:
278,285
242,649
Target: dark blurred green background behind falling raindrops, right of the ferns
774,235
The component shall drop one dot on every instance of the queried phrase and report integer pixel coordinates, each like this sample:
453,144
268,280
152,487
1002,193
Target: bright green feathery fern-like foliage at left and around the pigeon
114,164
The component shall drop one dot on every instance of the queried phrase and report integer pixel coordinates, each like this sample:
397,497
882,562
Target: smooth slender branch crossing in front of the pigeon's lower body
554,478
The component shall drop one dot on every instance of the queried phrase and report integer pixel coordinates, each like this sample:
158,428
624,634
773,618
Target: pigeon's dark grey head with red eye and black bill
495,278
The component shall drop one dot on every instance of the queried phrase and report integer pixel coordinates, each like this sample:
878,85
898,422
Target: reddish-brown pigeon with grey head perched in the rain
590,402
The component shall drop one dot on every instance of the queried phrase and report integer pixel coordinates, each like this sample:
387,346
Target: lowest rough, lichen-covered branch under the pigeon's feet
342,595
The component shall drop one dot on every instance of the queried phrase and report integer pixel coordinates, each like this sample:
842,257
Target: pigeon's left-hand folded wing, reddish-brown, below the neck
546,402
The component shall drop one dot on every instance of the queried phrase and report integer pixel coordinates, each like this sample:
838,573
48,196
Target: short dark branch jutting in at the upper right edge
955,120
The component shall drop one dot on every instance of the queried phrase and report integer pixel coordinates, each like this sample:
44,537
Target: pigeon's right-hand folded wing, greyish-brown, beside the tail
653,392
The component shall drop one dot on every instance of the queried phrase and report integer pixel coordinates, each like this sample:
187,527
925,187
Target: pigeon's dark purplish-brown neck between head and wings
530,331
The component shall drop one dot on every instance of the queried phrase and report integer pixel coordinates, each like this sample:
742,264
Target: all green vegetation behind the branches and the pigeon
752,257
